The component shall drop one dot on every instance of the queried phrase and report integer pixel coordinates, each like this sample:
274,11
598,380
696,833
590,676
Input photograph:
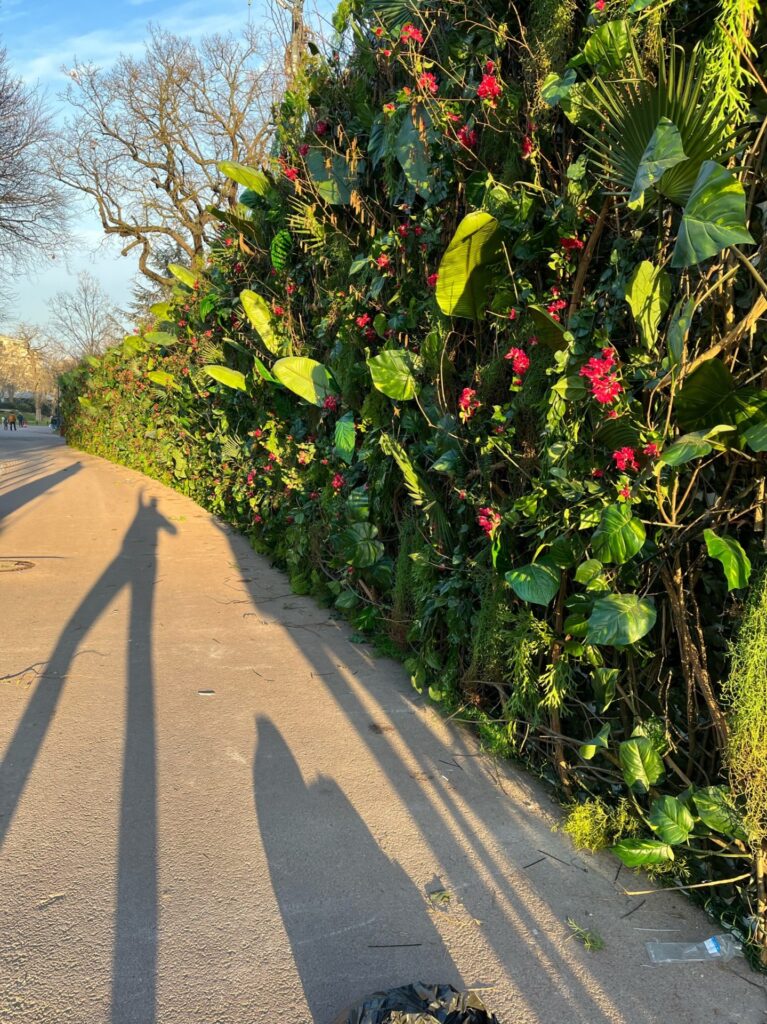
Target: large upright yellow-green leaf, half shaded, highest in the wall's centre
463,281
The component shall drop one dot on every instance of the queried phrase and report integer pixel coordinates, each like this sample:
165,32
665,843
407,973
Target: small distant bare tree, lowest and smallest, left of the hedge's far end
86,322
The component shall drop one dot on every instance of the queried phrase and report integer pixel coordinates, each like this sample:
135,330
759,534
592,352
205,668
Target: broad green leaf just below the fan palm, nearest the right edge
714,217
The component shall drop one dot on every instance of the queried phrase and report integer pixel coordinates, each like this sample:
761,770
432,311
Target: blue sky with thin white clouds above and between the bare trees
40,37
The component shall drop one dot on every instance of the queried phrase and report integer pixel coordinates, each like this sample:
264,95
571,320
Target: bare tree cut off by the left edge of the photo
33,209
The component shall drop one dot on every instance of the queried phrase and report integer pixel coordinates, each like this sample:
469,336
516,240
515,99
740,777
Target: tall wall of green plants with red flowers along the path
480,360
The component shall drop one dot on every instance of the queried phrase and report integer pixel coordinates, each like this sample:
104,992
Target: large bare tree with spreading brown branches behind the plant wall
146,137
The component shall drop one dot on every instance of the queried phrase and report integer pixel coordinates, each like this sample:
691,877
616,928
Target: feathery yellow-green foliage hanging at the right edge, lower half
747,692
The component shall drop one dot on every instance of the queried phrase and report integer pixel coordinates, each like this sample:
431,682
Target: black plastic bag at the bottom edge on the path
420,1004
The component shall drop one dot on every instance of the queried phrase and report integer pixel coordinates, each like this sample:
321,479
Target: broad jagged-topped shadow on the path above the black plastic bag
322,859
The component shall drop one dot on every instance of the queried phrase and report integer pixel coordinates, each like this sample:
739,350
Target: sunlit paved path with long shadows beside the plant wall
216,809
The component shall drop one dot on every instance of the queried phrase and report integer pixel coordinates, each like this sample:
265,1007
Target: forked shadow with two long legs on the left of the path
134,979
